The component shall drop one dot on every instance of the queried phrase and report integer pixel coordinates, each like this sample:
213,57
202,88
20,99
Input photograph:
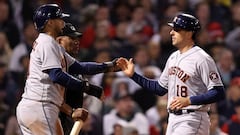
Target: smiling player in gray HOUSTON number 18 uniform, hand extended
190,78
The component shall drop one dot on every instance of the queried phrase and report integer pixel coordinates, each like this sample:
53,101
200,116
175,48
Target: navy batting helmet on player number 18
186,22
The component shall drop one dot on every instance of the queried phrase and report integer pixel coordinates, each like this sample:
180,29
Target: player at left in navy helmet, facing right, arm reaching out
37,112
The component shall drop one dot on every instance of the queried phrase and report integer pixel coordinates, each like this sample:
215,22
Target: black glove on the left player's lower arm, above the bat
93,90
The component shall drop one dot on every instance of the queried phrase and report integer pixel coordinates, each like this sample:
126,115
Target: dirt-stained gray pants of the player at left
38,118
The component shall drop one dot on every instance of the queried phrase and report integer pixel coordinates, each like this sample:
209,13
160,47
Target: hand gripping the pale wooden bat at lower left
80,114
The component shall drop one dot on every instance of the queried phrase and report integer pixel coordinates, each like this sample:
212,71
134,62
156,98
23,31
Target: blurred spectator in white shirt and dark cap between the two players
124,111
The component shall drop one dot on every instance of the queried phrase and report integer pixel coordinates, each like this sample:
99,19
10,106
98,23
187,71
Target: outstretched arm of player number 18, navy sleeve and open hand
148,84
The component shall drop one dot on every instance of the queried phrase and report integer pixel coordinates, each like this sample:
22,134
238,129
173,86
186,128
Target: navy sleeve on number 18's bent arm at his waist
213,95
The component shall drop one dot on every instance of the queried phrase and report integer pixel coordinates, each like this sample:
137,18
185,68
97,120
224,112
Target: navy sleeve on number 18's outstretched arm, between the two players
150,85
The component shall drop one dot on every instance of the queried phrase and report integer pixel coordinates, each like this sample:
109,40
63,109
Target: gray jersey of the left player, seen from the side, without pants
46,54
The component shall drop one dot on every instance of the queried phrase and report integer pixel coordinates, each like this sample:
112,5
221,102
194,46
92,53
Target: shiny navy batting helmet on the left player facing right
46,12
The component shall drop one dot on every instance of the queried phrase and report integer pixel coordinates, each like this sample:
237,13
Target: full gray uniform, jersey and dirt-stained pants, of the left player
37,112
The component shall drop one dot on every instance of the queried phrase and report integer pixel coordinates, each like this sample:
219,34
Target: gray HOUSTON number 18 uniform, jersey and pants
189,74
